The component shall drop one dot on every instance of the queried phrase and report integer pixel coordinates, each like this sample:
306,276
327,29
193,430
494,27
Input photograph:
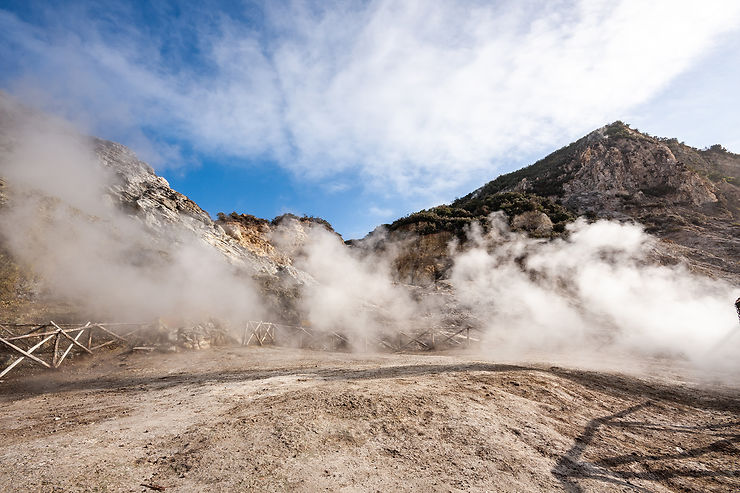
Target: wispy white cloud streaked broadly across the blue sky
417,96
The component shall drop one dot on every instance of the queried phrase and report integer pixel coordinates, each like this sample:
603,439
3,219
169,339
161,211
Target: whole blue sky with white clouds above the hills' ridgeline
361,112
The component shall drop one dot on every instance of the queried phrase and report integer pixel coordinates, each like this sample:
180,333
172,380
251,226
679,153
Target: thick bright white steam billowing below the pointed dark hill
594,291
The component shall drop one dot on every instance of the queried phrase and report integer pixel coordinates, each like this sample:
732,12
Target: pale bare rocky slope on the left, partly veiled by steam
165,221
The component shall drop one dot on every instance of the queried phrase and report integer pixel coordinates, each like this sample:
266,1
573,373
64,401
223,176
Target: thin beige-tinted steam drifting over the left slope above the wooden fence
60,223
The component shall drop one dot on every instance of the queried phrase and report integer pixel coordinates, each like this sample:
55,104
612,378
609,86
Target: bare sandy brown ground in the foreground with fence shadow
237,419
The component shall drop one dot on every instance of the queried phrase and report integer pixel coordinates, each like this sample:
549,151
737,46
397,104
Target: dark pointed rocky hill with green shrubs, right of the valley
687,197
